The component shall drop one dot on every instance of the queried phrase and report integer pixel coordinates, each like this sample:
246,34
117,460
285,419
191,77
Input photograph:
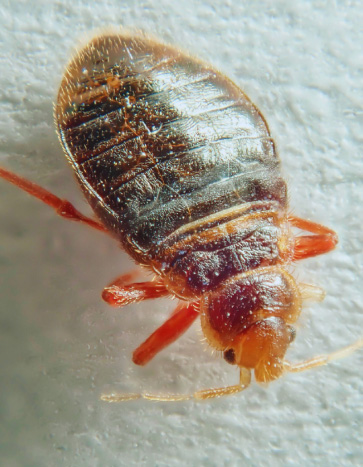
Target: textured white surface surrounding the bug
61,346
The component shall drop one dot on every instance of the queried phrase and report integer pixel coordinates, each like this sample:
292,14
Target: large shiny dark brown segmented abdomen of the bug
159,140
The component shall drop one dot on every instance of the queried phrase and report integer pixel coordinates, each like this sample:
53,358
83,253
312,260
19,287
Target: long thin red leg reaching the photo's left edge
62,207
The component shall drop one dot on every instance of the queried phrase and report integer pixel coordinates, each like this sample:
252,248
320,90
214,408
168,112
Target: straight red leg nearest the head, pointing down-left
167,333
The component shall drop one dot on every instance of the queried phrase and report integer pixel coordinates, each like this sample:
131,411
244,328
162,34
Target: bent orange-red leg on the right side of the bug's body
306,246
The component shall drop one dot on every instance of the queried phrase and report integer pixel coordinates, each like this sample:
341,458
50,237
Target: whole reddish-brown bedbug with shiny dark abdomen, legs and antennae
180,167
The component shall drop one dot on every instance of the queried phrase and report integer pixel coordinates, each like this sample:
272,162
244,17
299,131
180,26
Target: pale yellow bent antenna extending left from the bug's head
245,378
